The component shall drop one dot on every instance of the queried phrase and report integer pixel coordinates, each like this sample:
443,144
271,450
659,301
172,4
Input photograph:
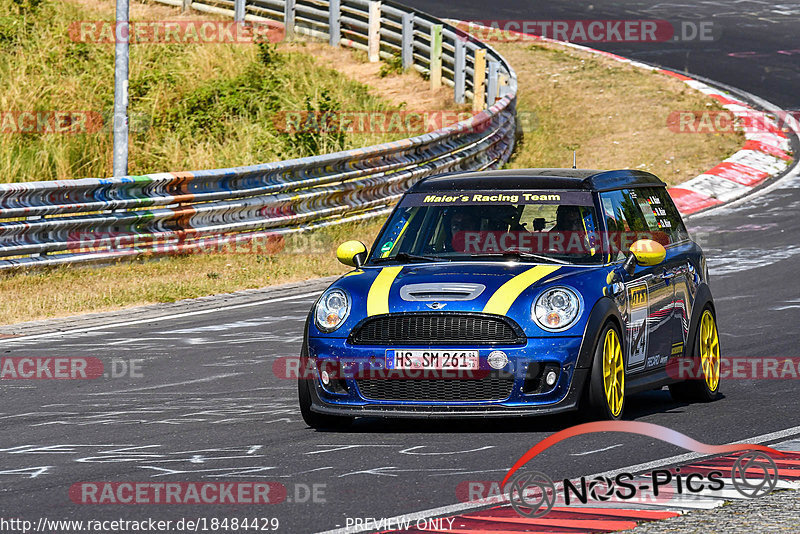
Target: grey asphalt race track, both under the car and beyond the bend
207,405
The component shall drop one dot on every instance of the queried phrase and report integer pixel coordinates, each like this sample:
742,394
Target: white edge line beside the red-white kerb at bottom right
468,506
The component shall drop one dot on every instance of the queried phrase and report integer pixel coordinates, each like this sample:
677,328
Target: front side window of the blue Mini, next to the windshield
624,219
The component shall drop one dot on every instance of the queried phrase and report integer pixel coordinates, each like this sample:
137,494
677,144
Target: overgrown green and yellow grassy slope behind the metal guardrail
192,106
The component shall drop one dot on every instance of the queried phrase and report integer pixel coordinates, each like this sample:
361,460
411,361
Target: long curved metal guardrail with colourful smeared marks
98,220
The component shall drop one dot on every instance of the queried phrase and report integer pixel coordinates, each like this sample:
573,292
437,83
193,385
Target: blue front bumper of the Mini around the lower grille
521,399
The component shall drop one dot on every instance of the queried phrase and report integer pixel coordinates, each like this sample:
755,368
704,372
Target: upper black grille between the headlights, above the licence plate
437,329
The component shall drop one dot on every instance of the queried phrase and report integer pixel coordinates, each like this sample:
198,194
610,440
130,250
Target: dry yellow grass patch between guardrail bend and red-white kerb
613,114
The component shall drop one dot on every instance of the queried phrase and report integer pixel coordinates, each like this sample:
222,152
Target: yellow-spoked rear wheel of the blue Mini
706,356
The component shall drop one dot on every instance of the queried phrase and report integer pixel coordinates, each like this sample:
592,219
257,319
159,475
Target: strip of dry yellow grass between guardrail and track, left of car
69,291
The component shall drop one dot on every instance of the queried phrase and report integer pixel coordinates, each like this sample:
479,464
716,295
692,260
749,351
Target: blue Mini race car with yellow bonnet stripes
514,293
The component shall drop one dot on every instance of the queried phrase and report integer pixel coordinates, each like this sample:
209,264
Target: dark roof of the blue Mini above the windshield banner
580,179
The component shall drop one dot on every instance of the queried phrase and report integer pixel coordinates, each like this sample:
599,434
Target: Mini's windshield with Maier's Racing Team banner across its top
537,226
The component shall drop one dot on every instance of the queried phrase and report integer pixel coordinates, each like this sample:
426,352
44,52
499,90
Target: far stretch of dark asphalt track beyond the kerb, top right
755,44
